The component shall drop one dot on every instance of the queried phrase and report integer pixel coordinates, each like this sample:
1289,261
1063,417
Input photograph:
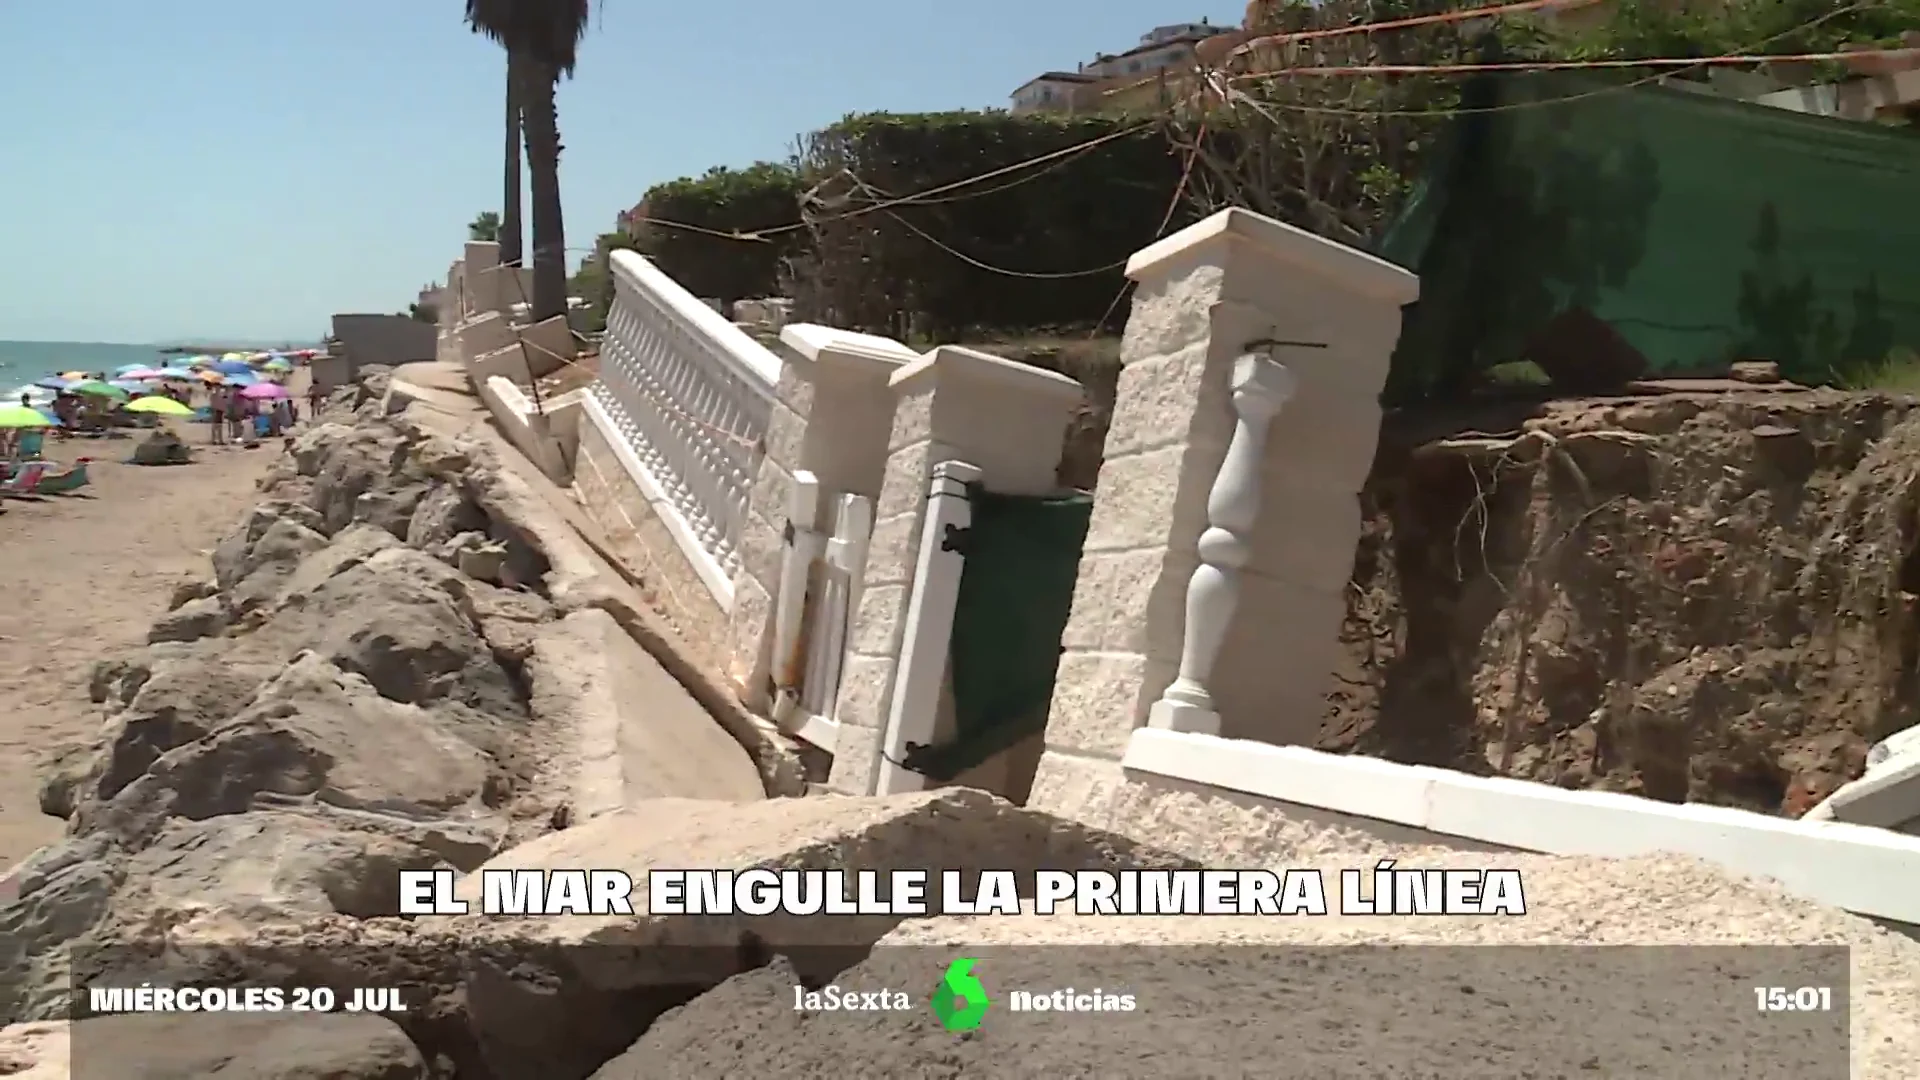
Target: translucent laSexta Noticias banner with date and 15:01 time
1019,1012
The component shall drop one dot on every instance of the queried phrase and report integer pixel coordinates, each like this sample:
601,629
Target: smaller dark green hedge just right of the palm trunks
725,201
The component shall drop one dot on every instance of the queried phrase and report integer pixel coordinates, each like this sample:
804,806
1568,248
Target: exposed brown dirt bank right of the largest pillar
1700,595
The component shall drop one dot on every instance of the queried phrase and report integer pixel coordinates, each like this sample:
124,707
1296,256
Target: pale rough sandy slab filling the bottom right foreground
1631,968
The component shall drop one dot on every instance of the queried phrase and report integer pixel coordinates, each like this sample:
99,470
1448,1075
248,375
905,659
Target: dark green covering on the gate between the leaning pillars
1017,591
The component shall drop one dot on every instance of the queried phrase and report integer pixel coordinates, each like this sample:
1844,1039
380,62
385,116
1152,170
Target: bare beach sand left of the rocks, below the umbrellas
84,579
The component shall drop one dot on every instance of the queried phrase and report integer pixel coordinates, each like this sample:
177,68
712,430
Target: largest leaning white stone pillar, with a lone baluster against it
1211,593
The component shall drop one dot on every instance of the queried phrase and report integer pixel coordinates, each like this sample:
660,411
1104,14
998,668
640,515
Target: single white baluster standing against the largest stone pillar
1260,387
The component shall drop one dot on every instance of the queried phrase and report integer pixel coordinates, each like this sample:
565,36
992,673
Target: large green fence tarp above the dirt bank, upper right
1702,230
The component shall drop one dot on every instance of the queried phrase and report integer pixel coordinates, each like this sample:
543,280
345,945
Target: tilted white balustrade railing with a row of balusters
690,395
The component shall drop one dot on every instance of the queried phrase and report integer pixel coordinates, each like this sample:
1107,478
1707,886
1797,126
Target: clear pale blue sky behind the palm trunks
243,168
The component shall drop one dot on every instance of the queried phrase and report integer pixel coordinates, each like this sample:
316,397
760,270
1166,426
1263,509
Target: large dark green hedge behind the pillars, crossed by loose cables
911,270
